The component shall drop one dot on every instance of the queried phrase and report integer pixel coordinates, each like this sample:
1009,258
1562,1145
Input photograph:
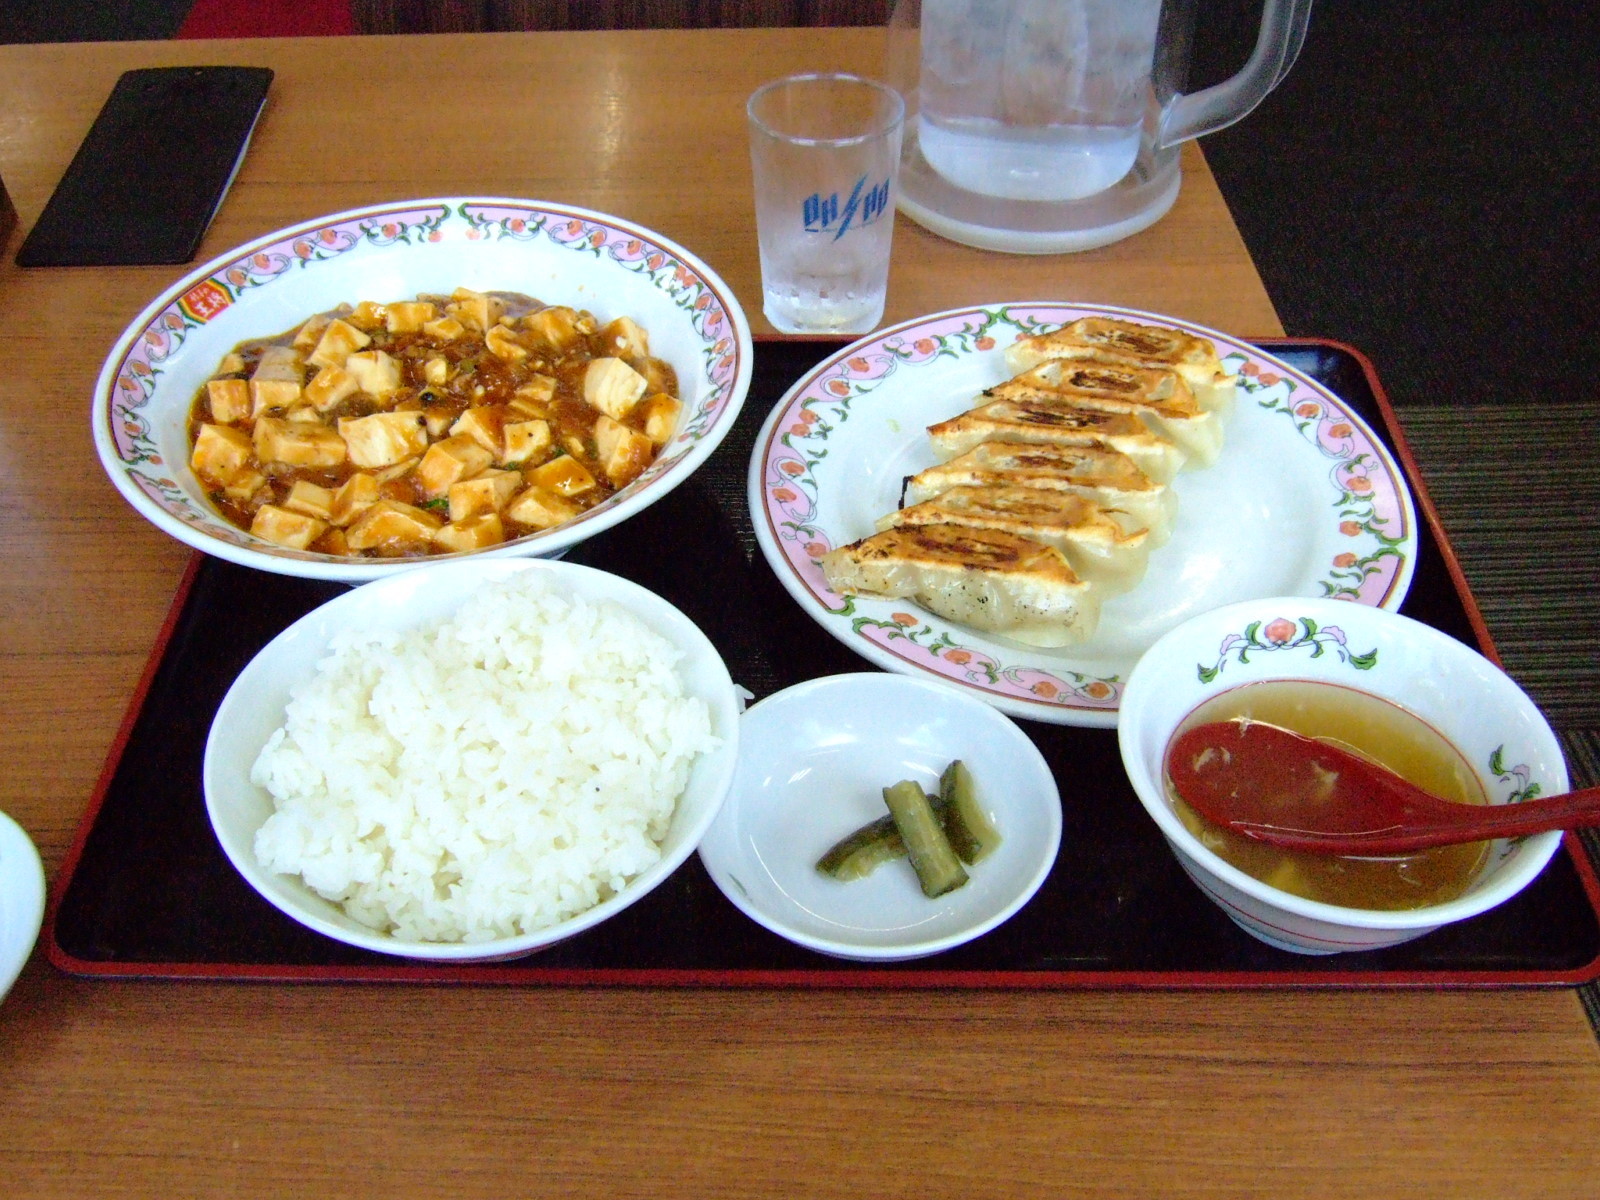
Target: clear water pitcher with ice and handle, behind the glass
1055,126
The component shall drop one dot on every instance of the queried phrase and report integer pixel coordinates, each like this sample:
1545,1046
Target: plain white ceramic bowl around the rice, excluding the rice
255,706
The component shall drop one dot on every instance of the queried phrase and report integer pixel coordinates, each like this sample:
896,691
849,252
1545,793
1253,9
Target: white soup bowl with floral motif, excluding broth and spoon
1490,722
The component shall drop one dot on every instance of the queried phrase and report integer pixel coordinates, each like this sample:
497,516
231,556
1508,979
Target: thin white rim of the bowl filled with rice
726,718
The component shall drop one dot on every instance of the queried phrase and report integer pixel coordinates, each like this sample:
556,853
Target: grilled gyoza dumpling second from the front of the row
1095,543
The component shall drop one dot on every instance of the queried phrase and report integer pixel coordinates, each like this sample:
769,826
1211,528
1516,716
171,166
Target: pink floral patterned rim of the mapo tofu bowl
265,558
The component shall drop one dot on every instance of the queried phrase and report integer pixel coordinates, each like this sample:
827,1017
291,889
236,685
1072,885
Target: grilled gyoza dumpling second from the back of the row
1161,399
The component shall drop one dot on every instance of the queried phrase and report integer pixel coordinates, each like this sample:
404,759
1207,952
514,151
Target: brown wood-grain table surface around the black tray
148,1089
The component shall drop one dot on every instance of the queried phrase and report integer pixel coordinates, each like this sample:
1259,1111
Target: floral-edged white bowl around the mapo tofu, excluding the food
394,252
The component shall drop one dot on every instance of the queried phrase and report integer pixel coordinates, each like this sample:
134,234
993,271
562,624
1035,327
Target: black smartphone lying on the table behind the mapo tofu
153,169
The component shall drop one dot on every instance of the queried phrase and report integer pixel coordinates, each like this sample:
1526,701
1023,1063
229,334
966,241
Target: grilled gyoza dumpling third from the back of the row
1054,425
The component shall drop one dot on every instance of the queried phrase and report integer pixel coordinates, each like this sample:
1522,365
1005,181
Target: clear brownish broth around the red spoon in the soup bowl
1382,732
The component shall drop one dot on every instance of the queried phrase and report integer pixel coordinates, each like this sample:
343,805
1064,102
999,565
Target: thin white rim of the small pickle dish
945,694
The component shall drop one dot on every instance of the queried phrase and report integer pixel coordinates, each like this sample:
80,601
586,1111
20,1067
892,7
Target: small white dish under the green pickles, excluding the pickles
814,764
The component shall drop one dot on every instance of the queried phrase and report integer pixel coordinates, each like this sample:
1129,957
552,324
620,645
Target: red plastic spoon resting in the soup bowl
1297,793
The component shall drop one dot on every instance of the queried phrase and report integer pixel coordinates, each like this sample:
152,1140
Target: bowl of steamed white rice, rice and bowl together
473,761
